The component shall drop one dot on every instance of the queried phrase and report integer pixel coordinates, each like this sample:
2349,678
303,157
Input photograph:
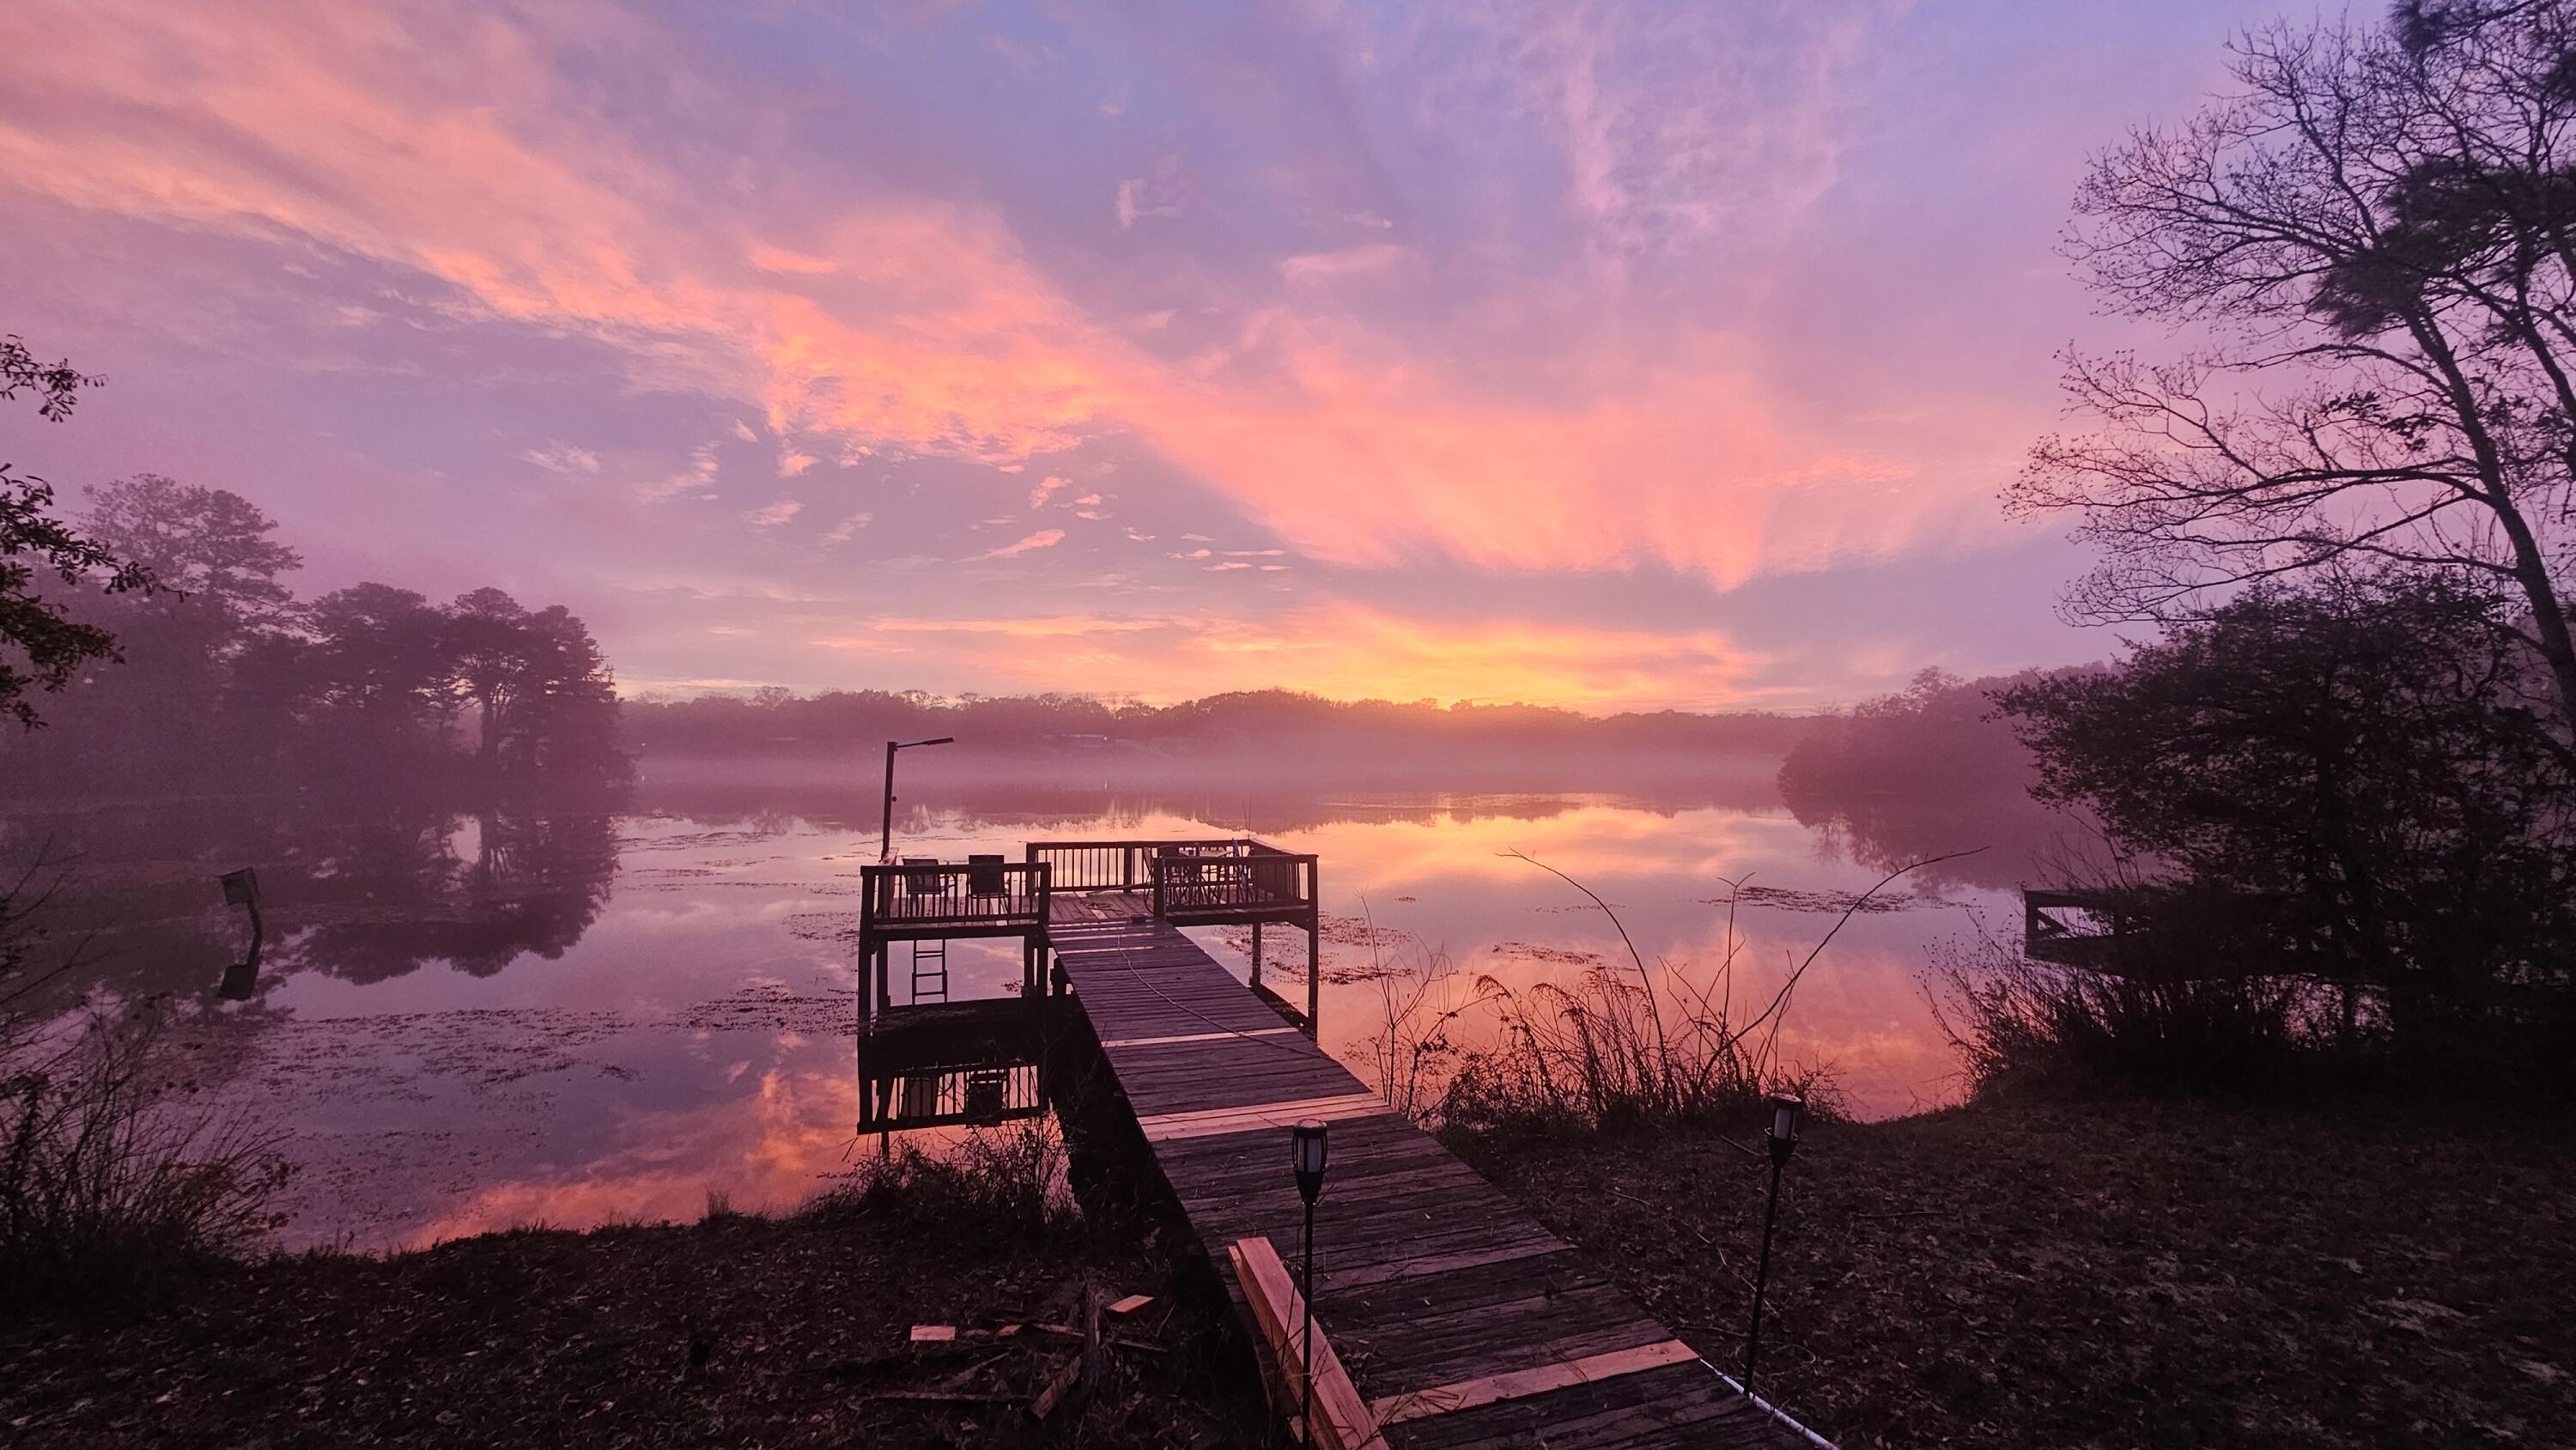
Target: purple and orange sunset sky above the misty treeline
1611,357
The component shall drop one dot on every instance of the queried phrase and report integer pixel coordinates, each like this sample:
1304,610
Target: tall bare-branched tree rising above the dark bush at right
2371,246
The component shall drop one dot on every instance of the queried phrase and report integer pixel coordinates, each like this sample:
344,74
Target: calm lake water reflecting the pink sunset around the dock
470,1021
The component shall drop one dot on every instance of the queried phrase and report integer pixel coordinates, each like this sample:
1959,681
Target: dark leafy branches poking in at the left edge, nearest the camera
43,645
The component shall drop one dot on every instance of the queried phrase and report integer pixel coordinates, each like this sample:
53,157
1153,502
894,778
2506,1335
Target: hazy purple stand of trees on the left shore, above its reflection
176,658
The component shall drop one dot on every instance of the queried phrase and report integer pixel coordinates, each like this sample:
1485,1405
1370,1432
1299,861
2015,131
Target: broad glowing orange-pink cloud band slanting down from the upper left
450,146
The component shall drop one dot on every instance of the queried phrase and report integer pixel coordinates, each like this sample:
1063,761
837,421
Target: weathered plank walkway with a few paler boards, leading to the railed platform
1436,1292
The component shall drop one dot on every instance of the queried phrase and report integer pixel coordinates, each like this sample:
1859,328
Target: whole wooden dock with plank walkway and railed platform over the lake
1457,1317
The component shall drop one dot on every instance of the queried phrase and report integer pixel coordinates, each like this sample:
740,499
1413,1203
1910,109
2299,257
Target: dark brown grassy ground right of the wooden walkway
2114,1276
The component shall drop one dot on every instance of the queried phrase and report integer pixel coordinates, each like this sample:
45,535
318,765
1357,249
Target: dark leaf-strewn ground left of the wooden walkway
725,1333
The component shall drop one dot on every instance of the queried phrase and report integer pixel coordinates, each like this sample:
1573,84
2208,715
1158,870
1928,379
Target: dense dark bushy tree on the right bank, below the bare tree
2356,756
